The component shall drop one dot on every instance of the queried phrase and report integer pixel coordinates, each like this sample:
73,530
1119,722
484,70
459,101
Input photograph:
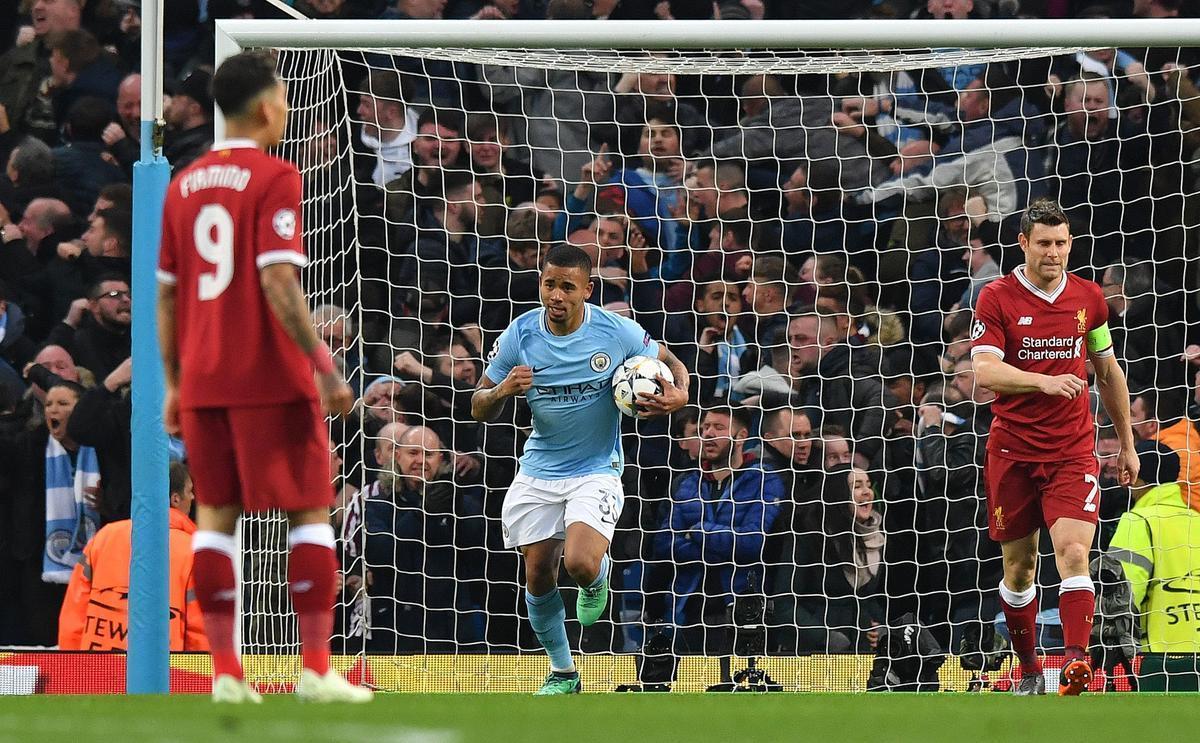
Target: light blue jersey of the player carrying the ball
577,427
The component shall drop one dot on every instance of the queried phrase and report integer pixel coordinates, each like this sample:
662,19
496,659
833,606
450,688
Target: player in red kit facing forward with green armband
1030,333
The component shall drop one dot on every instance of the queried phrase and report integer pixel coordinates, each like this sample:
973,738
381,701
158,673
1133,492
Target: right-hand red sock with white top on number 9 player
313,576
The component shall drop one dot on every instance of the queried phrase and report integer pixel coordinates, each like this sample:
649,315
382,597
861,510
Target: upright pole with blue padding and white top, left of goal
148,664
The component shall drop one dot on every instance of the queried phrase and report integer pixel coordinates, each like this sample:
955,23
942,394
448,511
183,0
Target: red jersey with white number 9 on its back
229,215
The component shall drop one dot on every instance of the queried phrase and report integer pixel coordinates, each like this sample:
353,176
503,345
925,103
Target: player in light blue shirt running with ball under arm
567,498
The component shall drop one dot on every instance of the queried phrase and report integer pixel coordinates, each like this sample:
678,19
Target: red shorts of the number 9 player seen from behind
261,458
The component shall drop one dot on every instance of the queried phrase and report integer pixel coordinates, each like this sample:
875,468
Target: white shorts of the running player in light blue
537,510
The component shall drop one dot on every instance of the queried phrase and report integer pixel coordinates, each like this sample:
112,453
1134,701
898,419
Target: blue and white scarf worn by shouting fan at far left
70,522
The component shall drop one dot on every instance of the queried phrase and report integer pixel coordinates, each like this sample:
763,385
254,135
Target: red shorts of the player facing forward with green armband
1025,496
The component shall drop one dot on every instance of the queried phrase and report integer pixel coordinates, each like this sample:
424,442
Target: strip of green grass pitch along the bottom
607,718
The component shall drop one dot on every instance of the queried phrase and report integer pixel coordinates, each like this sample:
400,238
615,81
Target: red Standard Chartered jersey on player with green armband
1045,334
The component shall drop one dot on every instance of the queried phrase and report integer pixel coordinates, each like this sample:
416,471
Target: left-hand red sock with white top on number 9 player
217,590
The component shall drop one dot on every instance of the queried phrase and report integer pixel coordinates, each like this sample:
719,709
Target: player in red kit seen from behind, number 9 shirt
241,351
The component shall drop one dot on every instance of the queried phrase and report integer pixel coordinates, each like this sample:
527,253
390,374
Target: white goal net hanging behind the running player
808,230
